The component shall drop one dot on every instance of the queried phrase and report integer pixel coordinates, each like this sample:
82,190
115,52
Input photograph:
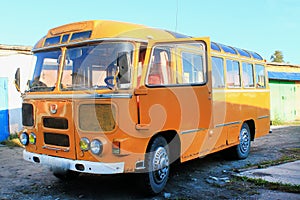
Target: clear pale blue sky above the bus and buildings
258,25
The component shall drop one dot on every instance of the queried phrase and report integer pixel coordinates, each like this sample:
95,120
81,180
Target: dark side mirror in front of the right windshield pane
123,62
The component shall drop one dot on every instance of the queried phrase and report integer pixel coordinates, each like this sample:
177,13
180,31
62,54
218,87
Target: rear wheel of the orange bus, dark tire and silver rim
242,150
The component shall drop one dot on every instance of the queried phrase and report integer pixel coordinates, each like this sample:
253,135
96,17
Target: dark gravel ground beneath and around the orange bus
206,178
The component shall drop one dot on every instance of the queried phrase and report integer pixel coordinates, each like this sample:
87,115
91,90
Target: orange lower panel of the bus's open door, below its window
187,110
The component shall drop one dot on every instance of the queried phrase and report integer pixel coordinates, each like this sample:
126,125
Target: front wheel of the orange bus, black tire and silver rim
158,167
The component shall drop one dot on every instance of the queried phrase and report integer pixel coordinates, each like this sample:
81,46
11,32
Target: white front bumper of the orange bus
74,165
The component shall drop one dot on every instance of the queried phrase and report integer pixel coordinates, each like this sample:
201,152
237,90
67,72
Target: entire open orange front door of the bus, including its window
175,94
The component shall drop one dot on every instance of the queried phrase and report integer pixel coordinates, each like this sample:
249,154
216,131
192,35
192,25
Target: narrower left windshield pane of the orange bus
46,71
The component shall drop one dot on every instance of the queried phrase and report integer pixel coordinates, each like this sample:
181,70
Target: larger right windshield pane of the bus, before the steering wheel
98,66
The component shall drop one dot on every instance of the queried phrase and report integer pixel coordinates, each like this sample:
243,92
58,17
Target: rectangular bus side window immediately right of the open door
218,72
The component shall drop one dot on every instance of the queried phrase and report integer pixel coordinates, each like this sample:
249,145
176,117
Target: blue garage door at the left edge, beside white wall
4,127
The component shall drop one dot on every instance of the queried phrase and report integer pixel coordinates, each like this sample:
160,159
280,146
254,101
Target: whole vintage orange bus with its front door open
109,97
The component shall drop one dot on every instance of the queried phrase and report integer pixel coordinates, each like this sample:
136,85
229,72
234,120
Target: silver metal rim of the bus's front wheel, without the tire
160,165
